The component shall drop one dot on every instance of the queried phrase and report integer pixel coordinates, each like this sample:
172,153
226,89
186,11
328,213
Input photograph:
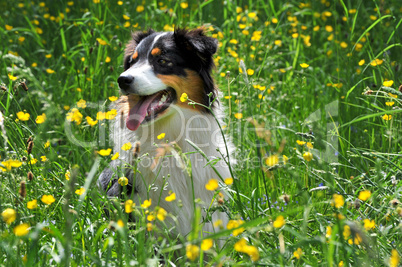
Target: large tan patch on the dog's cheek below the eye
192,85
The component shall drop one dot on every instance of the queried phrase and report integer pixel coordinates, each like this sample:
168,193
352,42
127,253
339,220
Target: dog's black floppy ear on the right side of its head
195,41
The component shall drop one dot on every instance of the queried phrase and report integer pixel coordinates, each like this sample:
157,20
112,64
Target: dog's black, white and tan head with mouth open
160,67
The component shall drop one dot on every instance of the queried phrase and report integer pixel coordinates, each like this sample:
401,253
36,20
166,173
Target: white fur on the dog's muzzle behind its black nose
145,80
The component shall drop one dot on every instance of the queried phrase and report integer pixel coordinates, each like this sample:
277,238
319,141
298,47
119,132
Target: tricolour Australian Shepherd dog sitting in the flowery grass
169,105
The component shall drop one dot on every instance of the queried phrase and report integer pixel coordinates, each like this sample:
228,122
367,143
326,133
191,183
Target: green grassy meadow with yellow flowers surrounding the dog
312,93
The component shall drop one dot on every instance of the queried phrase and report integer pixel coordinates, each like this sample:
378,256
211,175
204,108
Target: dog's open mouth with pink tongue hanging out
149,108
